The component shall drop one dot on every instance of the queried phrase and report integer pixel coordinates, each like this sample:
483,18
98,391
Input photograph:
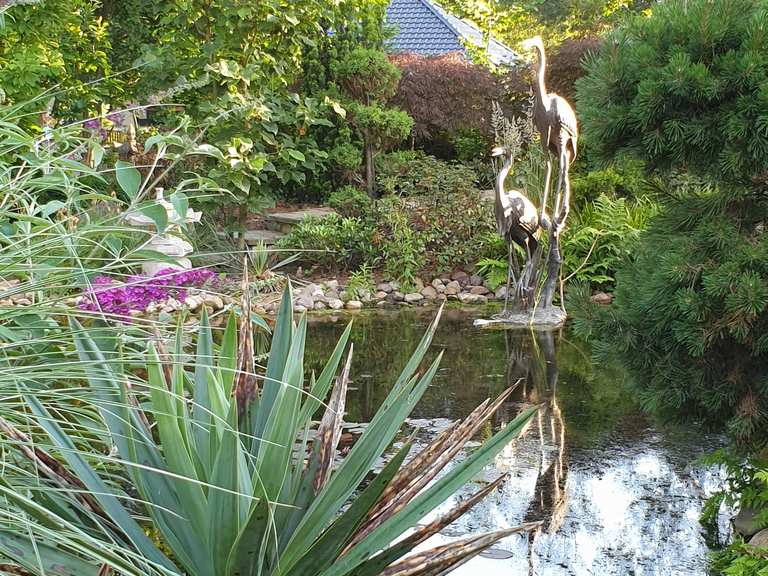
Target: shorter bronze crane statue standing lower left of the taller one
517,221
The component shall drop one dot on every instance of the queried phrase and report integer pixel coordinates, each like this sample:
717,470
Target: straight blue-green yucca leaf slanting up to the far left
99,490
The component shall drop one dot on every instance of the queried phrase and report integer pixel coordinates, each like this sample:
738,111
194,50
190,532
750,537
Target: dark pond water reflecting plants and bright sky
619,493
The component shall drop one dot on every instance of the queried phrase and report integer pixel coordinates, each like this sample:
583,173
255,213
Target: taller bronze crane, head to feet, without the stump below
556,122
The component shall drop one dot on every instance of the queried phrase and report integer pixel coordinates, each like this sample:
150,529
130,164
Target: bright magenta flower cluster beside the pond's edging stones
140,291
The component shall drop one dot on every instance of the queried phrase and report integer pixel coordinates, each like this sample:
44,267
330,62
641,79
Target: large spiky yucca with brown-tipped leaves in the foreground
212,466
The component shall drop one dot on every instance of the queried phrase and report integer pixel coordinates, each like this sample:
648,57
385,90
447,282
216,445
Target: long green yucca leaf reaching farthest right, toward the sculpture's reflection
429,498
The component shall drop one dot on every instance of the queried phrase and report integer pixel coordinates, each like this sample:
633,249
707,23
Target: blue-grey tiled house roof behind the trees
424,27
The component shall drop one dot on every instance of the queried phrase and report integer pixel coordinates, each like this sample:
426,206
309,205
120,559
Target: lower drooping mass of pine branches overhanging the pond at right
690,311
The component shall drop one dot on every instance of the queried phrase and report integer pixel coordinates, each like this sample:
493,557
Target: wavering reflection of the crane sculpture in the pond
532,361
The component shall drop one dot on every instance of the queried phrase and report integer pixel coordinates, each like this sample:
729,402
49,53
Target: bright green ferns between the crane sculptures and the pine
601,236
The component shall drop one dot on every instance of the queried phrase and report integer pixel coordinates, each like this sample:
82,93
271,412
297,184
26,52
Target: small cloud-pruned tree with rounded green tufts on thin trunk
370,80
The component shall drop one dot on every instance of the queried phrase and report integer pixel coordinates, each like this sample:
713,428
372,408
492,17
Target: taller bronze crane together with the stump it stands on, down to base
556,123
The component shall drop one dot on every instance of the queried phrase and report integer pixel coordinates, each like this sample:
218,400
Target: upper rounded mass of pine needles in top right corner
685,87
